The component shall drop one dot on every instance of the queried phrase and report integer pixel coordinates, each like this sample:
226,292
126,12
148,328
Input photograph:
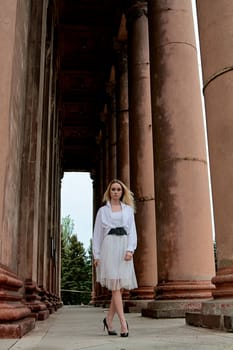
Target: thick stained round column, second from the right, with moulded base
184,231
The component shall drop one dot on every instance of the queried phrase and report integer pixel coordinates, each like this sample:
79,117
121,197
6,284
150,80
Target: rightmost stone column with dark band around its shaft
216,33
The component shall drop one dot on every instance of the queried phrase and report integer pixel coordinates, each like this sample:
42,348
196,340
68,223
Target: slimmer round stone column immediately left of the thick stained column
141,149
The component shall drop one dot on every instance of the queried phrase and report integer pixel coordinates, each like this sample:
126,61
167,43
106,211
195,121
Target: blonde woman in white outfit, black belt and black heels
114,242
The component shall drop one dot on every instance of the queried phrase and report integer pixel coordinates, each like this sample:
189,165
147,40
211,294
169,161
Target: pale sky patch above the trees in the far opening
76,201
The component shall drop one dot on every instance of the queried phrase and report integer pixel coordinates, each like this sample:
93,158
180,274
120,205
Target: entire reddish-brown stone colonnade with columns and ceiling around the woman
113,88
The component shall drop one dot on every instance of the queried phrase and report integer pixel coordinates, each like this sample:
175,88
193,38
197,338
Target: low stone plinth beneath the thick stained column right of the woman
171,308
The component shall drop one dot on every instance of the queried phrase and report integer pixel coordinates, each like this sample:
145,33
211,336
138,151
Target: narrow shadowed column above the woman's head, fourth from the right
123,172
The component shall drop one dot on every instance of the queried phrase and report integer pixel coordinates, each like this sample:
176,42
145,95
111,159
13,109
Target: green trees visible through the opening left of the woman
76,267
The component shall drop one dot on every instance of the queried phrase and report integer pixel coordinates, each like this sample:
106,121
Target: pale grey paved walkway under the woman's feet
79,328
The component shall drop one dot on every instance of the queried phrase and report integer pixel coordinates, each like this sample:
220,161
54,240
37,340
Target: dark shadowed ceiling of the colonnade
85,47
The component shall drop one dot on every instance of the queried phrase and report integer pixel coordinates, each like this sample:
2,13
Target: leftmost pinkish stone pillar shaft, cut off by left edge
14,27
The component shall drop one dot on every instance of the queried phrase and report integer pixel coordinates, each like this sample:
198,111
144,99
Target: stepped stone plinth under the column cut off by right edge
214,314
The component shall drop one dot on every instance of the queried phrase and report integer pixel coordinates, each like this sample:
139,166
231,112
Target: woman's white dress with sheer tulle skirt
113,271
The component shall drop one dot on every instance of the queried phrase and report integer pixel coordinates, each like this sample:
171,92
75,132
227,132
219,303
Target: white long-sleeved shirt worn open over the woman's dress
104,223
